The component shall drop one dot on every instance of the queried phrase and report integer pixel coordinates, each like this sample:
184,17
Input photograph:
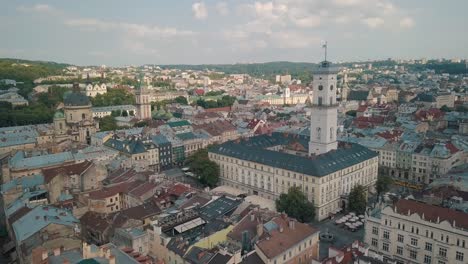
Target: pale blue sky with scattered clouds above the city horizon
136,32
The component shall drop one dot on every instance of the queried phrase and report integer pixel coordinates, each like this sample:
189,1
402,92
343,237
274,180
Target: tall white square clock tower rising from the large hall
324,116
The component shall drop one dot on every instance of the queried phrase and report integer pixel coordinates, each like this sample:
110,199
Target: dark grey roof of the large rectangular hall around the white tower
254,150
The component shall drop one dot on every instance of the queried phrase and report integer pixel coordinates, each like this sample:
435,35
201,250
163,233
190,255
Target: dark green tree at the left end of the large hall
206,170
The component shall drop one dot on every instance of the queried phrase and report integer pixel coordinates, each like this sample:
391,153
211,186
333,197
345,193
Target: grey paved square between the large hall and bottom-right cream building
343,237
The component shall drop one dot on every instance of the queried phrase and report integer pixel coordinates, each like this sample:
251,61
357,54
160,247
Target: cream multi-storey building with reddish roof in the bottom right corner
415,232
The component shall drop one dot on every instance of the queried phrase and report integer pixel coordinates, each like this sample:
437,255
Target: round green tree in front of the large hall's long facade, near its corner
296,205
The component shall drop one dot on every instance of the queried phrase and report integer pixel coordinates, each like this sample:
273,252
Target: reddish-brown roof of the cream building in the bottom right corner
432,213
